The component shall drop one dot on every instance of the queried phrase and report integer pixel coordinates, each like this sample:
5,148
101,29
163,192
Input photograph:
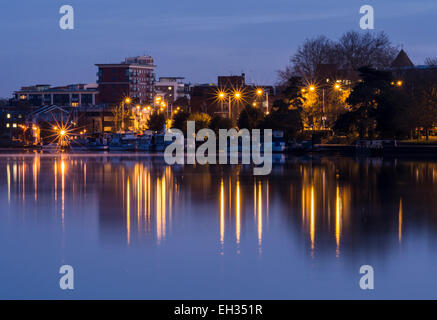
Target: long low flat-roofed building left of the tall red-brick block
73,95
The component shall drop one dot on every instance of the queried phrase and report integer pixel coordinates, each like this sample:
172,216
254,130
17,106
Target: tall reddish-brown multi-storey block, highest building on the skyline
132,78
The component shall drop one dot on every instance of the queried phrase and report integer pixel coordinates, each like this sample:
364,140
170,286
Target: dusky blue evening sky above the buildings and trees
196,39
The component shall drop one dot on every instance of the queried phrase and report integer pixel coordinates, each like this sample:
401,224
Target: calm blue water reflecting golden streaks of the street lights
133,227
